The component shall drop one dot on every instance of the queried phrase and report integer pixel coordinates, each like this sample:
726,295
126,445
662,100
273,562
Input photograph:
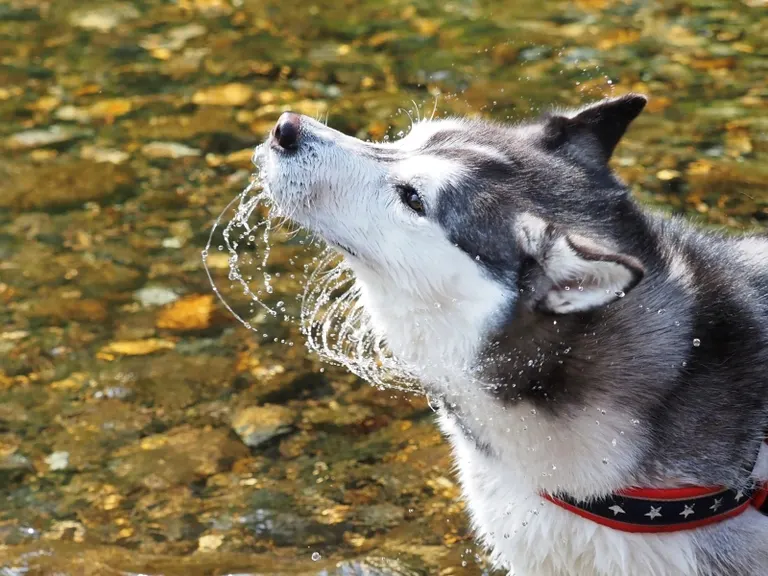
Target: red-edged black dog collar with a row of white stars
658,510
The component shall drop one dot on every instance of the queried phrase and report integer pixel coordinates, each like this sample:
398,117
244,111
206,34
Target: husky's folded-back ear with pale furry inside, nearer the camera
578,273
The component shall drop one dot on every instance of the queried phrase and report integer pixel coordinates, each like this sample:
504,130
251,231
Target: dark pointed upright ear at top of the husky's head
605,121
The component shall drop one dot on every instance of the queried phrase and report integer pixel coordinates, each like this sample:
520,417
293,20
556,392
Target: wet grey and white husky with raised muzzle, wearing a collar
600,371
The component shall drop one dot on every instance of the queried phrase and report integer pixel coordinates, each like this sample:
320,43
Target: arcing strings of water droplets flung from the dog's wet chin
334,324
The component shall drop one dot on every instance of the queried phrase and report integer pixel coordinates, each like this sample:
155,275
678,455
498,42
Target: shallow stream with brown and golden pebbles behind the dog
143,430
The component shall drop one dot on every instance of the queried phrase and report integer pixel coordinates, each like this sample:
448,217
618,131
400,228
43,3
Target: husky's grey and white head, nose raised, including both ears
461,221
